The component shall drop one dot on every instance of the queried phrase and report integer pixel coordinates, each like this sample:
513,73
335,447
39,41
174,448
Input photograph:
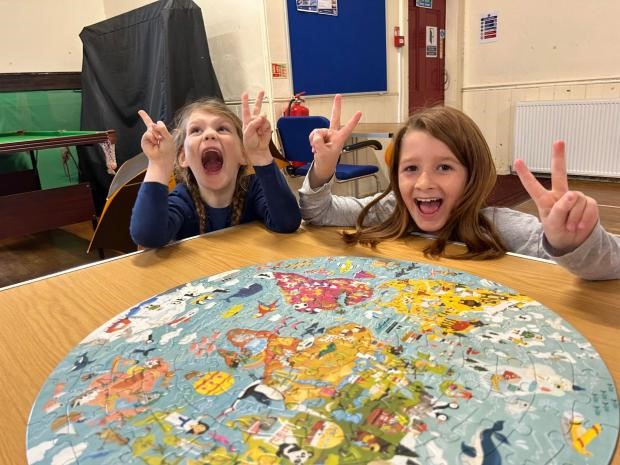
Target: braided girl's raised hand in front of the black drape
158,145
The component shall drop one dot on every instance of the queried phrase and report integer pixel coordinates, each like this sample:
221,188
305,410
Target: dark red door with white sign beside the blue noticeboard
426,53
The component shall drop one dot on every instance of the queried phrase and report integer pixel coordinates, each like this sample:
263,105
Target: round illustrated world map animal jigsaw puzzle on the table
332,360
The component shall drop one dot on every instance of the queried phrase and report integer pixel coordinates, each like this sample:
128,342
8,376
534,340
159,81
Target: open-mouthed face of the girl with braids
213,151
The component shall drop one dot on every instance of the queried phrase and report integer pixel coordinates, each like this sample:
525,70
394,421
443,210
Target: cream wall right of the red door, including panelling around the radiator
559,49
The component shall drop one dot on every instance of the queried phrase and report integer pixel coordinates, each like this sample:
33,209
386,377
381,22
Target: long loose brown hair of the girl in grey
466,223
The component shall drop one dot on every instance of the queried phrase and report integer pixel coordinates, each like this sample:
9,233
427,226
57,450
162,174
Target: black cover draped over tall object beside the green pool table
154,58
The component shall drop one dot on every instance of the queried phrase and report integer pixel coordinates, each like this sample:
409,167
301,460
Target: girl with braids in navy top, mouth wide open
209,155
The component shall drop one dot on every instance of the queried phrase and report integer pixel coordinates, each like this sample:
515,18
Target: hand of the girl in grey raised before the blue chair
327,144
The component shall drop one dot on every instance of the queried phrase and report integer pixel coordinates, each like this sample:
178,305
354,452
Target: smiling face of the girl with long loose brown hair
431,180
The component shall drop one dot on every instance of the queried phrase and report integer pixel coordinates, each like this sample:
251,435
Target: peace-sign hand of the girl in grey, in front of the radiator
568,217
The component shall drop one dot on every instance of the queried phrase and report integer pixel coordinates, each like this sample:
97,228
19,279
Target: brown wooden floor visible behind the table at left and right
31,256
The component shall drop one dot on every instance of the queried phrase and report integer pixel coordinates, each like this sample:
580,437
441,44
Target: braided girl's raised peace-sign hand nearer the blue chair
256,131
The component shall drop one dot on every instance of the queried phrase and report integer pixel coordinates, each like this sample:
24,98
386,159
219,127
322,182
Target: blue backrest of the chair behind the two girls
294,132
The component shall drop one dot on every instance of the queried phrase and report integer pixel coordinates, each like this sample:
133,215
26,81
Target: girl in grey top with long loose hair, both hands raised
440,177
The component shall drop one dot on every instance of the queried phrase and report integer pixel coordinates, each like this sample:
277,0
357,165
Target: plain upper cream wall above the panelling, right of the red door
541,41
